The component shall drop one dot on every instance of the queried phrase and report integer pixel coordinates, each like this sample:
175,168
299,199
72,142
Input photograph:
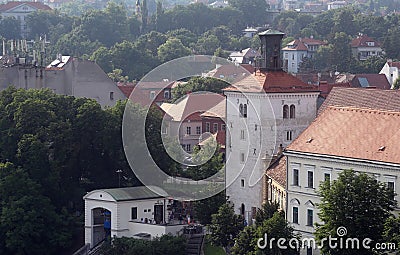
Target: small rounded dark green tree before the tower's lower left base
225,226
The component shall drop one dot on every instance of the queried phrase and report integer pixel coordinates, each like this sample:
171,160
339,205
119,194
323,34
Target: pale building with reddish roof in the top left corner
20,10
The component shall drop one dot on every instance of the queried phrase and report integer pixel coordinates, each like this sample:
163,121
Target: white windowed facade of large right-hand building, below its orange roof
305,198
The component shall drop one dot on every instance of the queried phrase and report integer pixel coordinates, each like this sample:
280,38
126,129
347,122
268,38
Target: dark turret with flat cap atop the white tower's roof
271,41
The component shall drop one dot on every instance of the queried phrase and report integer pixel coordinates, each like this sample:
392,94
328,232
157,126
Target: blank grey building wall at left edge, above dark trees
79,78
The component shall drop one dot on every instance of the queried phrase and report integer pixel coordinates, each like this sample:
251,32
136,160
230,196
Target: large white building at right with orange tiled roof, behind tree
340,138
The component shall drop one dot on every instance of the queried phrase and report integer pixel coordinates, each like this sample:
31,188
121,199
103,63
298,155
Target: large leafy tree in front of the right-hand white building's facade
354,201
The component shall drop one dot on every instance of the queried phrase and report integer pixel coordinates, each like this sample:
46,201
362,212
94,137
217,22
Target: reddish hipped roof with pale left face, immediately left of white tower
193,103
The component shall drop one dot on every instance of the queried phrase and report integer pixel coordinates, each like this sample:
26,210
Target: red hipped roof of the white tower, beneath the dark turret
272,82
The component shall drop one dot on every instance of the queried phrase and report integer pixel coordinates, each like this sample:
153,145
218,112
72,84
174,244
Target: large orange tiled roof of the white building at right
364,134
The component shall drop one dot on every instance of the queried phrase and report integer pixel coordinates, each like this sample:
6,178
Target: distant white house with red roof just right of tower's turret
299,50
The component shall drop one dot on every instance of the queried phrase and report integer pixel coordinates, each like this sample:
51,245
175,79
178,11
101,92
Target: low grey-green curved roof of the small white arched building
133,193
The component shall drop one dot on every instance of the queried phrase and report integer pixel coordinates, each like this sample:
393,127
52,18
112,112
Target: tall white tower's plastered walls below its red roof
264,129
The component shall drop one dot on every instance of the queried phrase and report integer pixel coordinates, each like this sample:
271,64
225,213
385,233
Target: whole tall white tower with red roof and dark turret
264,110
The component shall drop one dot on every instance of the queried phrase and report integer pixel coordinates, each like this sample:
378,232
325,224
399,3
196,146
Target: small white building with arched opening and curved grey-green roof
133,212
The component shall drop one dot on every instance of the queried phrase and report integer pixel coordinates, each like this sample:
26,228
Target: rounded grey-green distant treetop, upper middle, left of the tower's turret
172,49
